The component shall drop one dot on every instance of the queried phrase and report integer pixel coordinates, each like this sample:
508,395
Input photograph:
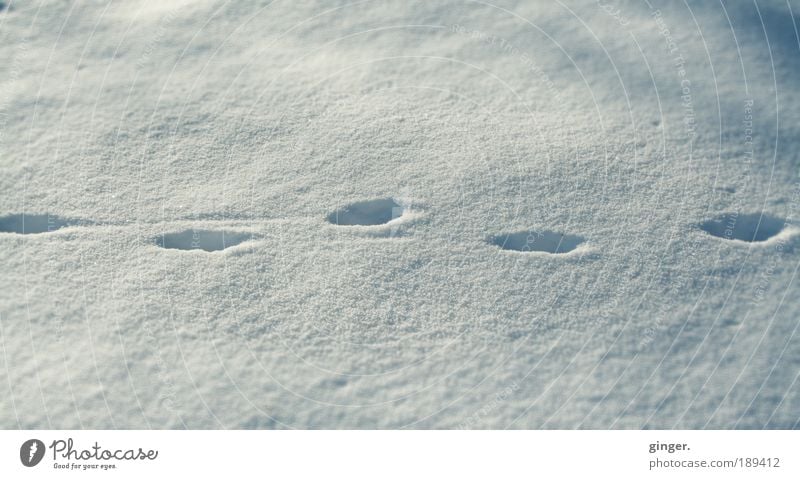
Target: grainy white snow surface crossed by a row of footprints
399,214
